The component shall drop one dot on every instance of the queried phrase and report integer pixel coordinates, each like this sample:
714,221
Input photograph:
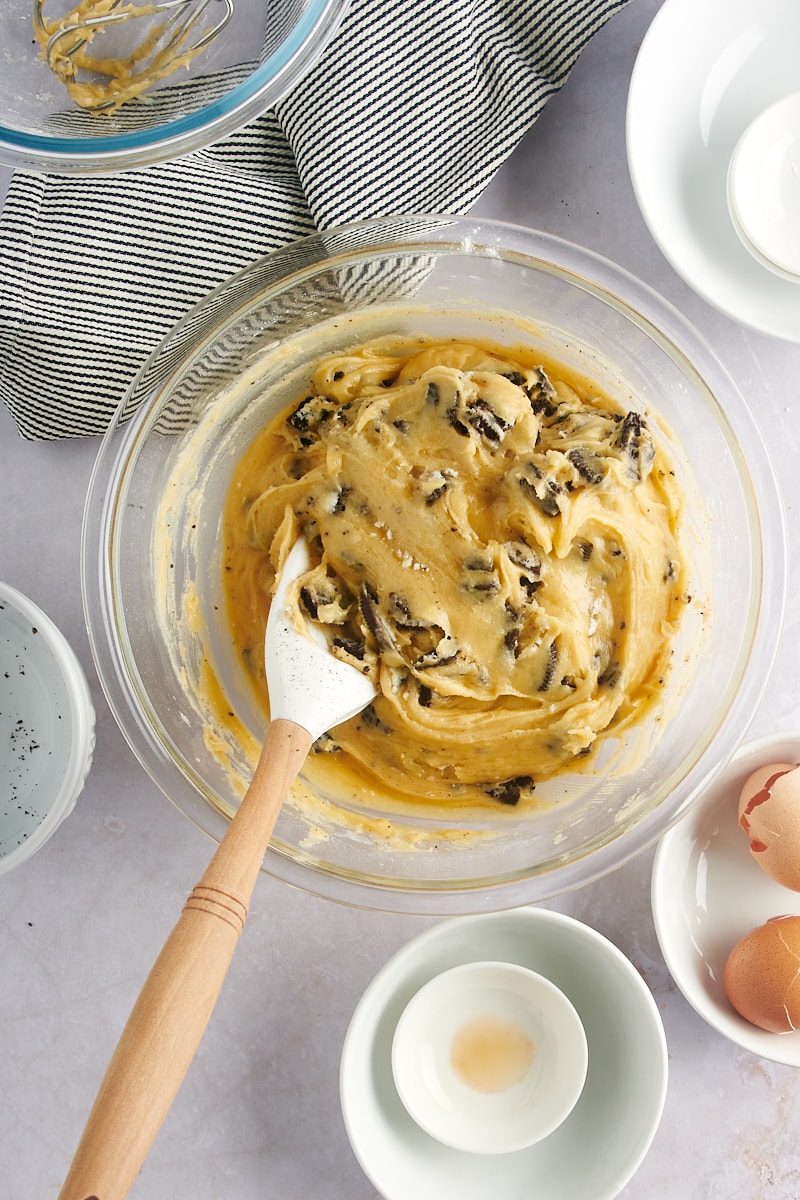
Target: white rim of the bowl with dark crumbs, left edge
82,719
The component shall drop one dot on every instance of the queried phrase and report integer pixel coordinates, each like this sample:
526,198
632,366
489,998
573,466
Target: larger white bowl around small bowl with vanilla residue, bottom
594,1154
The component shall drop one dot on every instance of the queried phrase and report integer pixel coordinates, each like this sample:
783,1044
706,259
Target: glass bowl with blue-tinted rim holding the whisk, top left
261,55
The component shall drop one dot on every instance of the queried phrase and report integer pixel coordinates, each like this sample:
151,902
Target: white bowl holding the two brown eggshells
708,892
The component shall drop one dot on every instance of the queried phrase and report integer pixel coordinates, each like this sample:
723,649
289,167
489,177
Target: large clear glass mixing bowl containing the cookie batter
153,577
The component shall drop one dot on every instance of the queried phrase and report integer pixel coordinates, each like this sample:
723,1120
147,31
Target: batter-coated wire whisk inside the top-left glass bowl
171,38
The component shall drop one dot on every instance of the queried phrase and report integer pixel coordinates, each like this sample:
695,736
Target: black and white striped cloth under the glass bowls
413,110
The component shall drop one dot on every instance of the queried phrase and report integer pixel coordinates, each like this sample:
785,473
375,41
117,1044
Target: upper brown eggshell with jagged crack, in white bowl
769,814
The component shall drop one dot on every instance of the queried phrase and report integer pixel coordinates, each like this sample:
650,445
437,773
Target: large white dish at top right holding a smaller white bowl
703,74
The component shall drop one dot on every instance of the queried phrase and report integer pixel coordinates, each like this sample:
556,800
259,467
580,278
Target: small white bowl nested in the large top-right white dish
765,188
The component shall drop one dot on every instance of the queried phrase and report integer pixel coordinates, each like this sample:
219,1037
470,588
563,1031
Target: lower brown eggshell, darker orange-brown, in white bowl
762,976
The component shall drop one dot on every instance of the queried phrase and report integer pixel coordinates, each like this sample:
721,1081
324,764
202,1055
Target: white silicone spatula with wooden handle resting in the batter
310,693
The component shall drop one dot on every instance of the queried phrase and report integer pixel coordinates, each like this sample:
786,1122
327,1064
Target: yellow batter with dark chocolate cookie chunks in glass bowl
497,547
